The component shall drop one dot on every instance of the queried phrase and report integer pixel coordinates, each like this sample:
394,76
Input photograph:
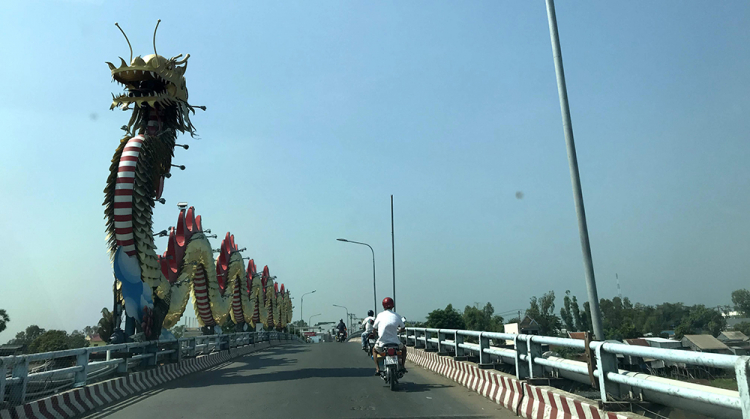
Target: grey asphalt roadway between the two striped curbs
325,380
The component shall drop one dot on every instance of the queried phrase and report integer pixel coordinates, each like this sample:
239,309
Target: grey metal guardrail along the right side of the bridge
613,383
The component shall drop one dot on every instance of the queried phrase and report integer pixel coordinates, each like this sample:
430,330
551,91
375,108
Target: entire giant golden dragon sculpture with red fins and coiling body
153,290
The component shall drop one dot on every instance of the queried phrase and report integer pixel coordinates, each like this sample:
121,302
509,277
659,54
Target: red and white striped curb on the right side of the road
530,402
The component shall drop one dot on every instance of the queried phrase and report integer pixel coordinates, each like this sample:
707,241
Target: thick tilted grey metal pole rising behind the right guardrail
596,319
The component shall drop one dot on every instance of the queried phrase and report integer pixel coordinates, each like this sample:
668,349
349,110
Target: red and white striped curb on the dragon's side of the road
81,400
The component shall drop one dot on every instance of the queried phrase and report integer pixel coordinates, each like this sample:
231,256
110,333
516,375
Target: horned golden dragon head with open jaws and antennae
156,83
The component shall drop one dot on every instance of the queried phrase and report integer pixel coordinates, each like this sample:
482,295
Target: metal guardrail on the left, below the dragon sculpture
17,373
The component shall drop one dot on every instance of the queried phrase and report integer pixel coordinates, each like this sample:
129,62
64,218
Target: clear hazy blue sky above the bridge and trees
318,112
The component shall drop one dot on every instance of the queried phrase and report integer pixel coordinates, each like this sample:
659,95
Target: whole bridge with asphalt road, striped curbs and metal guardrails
452,373
